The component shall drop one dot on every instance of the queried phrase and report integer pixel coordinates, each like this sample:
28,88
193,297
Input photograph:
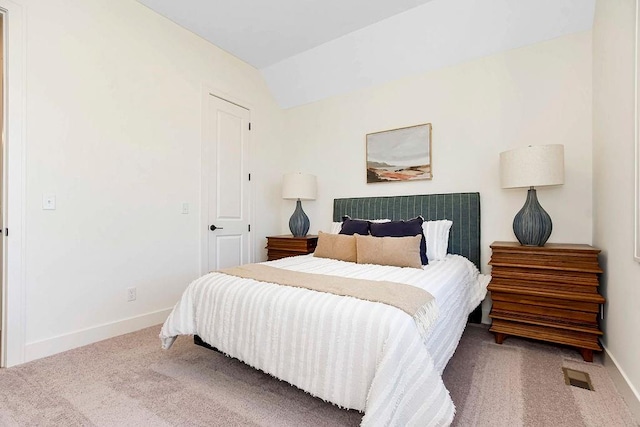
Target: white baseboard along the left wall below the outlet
39,349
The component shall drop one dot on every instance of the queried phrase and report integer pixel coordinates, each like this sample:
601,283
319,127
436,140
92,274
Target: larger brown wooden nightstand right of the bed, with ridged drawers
548,293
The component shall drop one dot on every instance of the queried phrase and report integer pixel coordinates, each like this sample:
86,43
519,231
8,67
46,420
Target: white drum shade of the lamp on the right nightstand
532,166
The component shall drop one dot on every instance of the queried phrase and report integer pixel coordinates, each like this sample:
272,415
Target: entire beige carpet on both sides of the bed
129,381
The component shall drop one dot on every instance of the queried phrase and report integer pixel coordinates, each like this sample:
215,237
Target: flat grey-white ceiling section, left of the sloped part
265,32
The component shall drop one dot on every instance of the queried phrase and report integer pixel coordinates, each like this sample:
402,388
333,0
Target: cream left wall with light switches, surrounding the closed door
114,103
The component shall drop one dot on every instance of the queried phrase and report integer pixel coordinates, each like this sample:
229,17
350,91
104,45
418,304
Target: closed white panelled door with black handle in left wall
226,184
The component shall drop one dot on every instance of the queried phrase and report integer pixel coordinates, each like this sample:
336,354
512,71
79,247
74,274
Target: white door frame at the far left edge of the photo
14,187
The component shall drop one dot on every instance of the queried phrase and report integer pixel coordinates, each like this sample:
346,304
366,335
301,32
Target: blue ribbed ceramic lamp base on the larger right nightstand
532,224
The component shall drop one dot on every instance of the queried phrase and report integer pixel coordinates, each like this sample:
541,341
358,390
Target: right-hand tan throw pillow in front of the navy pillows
396,251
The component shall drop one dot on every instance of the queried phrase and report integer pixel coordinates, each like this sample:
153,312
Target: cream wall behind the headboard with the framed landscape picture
540,94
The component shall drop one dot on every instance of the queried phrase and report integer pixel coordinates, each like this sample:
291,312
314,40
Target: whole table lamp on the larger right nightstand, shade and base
532,166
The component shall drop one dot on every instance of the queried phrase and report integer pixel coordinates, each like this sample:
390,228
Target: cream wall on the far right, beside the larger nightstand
613,175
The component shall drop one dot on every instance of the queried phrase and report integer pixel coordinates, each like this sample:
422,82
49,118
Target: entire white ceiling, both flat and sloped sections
312,49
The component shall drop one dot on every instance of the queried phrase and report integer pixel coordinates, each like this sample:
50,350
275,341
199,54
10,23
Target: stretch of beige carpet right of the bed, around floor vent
521,383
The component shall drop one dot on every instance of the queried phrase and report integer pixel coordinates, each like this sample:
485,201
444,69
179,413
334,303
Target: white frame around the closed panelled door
207,91
